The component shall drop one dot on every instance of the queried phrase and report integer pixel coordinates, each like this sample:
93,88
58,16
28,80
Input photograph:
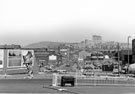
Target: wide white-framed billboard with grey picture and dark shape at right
17,58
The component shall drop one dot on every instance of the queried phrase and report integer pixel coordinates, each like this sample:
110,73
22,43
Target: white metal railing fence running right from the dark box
82,80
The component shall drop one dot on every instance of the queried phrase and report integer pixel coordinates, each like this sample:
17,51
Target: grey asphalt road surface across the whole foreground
44,86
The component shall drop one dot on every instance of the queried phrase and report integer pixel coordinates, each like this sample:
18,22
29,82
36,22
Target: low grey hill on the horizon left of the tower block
45,44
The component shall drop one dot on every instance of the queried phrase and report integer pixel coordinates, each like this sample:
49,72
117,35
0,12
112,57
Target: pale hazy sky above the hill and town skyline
28,21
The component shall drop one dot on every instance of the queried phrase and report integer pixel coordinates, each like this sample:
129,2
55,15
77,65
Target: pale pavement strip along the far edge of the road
42,75
